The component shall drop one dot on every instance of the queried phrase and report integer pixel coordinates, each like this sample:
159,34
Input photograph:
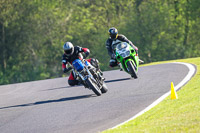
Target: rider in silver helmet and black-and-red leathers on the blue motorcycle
72,53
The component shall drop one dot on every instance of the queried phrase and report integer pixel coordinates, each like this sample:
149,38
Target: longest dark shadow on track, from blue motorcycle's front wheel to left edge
51,101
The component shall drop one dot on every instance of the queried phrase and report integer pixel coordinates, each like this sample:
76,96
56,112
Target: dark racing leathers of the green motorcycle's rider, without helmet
111,45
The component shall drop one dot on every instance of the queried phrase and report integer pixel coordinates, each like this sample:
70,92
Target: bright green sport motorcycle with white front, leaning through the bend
128,58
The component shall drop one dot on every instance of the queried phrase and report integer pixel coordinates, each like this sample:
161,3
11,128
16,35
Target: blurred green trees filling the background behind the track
32,32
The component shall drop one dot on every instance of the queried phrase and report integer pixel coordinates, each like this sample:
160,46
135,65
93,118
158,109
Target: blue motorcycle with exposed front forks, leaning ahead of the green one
89,76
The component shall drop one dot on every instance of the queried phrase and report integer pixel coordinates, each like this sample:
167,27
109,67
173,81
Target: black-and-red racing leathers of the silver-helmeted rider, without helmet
69,59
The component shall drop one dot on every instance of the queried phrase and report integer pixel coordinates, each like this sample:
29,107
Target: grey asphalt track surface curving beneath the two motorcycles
51,106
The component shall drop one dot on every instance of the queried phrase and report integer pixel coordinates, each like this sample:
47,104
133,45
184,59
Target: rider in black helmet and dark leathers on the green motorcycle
114,39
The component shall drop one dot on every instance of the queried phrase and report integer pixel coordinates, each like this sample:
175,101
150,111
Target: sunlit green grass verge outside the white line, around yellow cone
171,116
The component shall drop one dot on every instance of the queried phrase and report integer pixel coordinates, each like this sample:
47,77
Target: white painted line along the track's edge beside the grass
185,80
